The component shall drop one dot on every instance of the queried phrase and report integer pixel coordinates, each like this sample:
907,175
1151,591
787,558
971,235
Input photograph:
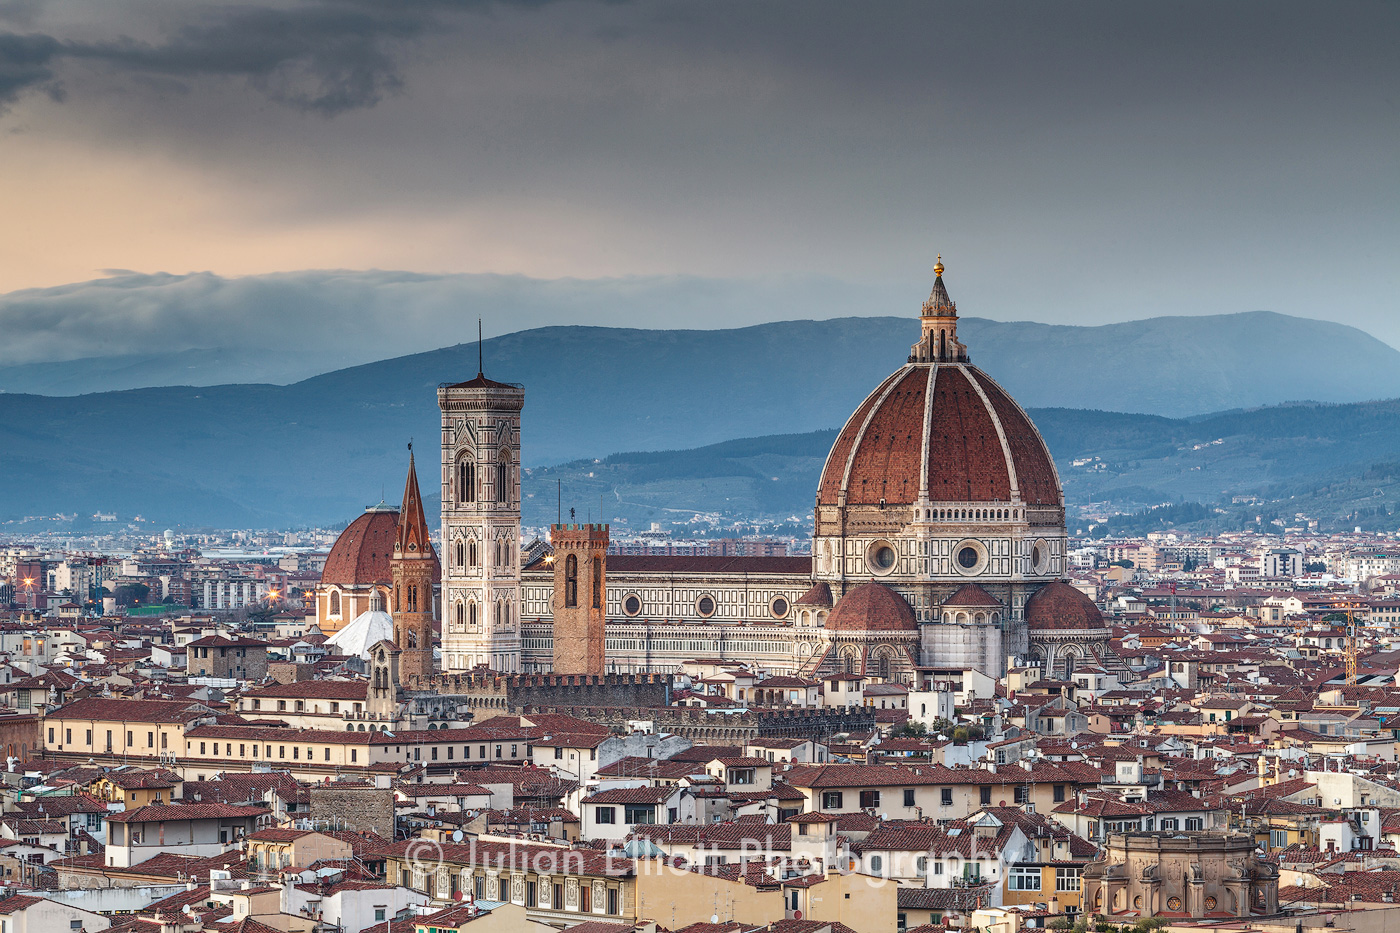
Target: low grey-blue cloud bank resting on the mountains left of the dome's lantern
338,319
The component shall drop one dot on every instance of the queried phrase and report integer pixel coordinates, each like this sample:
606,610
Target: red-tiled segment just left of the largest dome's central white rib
890,453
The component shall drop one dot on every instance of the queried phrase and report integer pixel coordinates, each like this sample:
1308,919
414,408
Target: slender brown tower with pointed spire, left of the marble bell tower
414,569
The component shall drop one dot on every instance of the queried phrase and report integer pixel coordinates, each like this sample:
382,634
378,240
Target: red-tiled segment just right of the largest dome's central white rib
965,457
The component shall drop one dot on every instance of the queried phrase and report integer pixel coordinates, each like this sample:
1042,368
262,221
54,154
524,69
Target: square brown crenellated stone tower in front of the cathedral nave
580,597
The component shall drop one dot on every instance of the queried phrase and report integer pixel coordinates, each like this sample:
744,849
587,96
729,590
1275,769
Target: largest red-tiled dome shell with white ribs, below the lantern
969,443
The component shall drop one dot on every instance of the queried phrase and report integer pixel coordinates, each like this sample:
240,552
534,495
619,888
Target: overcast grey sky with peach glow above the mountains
1074,163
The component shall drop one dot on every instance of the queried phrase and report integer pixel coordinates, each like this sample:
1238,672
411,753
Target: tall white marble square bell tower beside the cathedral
481,525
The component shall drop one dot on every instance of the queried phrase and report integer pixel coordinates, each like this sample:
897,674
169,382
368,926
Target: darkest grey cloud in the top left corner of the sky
327,58
